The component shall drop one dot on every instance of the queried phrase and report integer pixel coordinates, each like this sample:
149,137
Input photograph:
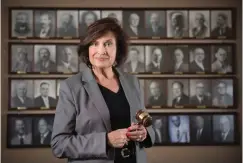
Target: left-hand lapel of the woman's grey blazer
96,97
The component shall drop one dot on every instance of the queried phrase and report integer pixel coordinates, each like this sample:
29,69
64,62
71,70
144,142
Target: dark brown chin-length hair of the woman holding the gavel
98,29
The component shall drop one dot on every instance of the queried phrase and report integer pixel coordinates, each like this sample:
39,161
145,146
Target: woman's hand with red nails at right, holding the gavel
137,132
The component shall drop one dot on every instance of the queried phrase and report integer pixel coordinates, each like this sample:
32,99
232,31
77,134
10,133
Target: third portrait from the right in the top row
177,23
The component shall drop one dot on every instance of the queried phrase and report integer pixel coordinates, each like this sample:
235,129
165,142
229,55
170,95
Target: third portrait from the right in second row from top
179,57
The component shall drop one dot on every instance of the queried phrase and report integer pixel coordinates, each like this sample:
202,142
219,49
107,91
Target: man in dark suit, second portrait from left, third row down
44,100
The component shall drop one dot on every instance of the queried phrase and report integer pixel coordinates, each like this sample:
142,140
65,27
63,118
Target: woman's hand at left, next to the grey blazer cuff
118,138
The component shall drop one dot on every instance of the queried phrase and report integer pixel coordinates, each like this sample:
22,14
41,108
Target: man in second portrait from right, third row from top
201,97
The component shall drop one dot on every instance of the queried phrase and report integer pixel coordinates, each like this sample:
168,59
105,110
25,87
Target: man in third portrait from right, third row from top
180,98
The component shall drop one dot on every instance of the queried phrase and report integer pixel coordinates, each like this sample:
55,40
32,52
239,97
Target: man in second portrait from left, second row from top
45,64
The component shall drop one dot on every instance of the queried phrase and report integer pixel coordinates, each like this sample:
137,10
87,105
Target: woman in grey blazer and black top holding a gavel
96,108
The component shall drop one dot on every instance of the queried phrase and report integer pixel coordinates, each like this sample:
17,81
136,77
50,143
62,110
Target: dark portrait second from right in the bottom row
200,129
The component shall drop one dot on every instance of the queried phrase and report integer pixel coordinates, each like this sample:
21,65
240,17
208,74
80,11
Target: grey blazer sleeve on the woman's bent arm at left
65,142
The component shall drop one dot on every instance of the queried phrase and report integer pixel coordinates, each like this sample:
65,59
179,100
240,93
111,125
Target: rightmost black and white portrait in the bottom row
223,128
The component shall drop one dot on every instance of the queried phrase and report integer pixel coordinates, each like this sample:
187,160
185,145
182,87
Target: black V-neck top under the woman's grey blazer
119,116
